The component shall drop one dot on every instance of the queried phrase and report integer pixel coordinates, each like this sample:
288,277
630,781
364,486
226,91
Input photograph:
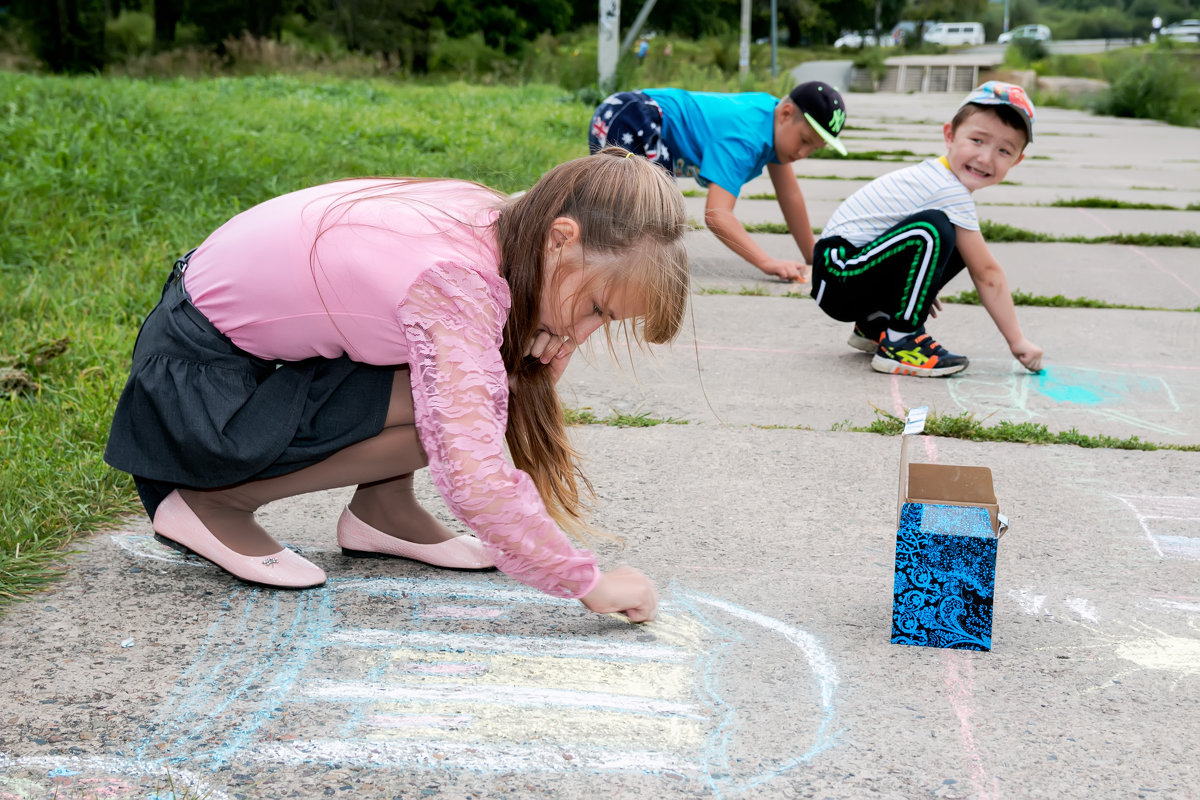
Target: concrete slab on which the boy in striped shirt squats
779,362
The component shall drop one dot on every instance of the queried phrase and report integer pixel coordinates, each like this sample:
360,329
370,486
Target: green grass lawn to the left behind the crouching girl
105,182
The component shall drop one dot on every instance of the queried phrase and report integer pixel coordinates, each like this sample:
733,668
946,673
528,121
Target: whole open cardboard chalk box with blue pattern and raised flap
949,530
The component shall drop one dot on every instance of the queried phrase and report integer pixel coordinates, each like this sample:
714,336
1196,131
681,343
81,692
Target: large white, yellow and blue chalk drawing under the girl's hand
483,675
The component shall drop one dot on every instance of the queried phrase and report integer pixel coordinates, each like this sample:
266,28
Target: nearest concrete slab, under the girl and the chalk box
769,673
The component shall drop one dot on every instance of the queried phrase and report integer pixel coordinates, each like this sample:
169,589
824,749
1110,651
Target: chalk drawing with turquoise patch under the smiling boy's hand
1138,401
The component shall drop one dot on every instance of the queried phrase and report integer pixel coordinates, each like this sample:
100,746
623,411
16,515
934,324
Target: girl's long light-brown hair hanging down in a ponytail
632,218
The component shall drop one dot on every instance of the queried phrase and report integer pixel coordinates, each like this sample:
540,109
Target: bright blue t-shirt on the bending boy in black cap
718,139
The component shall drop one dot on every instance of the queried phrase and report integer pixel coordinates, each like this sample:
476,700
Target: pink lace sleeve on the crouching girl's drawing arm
454,327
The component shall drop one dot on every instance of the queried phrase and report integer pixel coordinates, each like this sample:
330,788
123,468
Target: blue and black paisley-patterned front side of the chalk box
945,578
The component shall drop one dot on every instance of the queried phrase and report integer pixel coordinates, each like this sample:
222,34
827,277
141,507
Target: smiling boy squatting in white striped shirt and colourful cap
892,245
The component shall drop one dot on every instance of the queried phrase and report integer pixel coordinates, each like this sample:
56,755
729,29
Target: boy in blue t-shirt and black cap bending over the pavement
724,141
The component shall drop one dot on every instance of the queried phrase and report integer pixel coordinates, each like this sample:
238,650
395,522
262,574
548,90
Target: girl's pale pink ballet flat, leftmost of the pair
177,526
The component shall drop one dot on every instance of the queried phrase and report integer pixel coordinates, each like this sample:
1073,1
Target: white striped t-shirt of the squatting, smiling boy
899,195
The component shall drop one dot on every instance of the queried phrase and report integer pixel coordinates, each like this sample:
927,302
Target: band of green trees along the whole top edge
70,35
